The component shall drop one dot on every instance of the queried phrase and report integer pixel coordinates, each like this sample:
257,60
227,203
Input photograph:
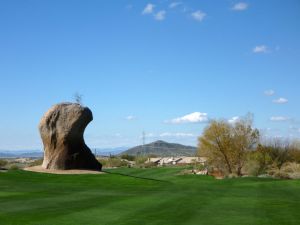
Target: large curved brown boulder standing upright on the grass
61,130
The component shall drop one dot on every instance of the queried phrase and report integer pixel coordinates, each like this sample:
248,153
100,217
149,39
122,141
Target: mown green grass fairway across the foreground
145,196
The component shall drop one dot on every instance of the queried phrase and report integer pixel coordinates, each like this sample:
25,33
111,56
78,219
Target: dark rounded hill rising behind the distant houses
162,149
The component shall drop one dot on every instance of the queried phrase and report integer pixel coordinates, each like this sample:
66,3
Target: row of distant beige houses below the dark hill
177,160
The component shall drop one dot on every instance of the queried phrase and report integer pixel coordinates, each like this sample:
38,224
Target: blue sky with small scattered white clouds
163,67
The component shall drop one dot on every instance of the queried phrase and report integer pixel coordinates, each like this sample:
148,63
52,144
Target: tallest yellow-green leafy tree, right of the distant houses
226,145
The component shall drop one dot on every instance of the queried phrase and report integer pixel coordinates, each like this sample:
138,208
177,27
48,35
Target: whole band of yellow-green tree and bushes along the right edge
238,149
